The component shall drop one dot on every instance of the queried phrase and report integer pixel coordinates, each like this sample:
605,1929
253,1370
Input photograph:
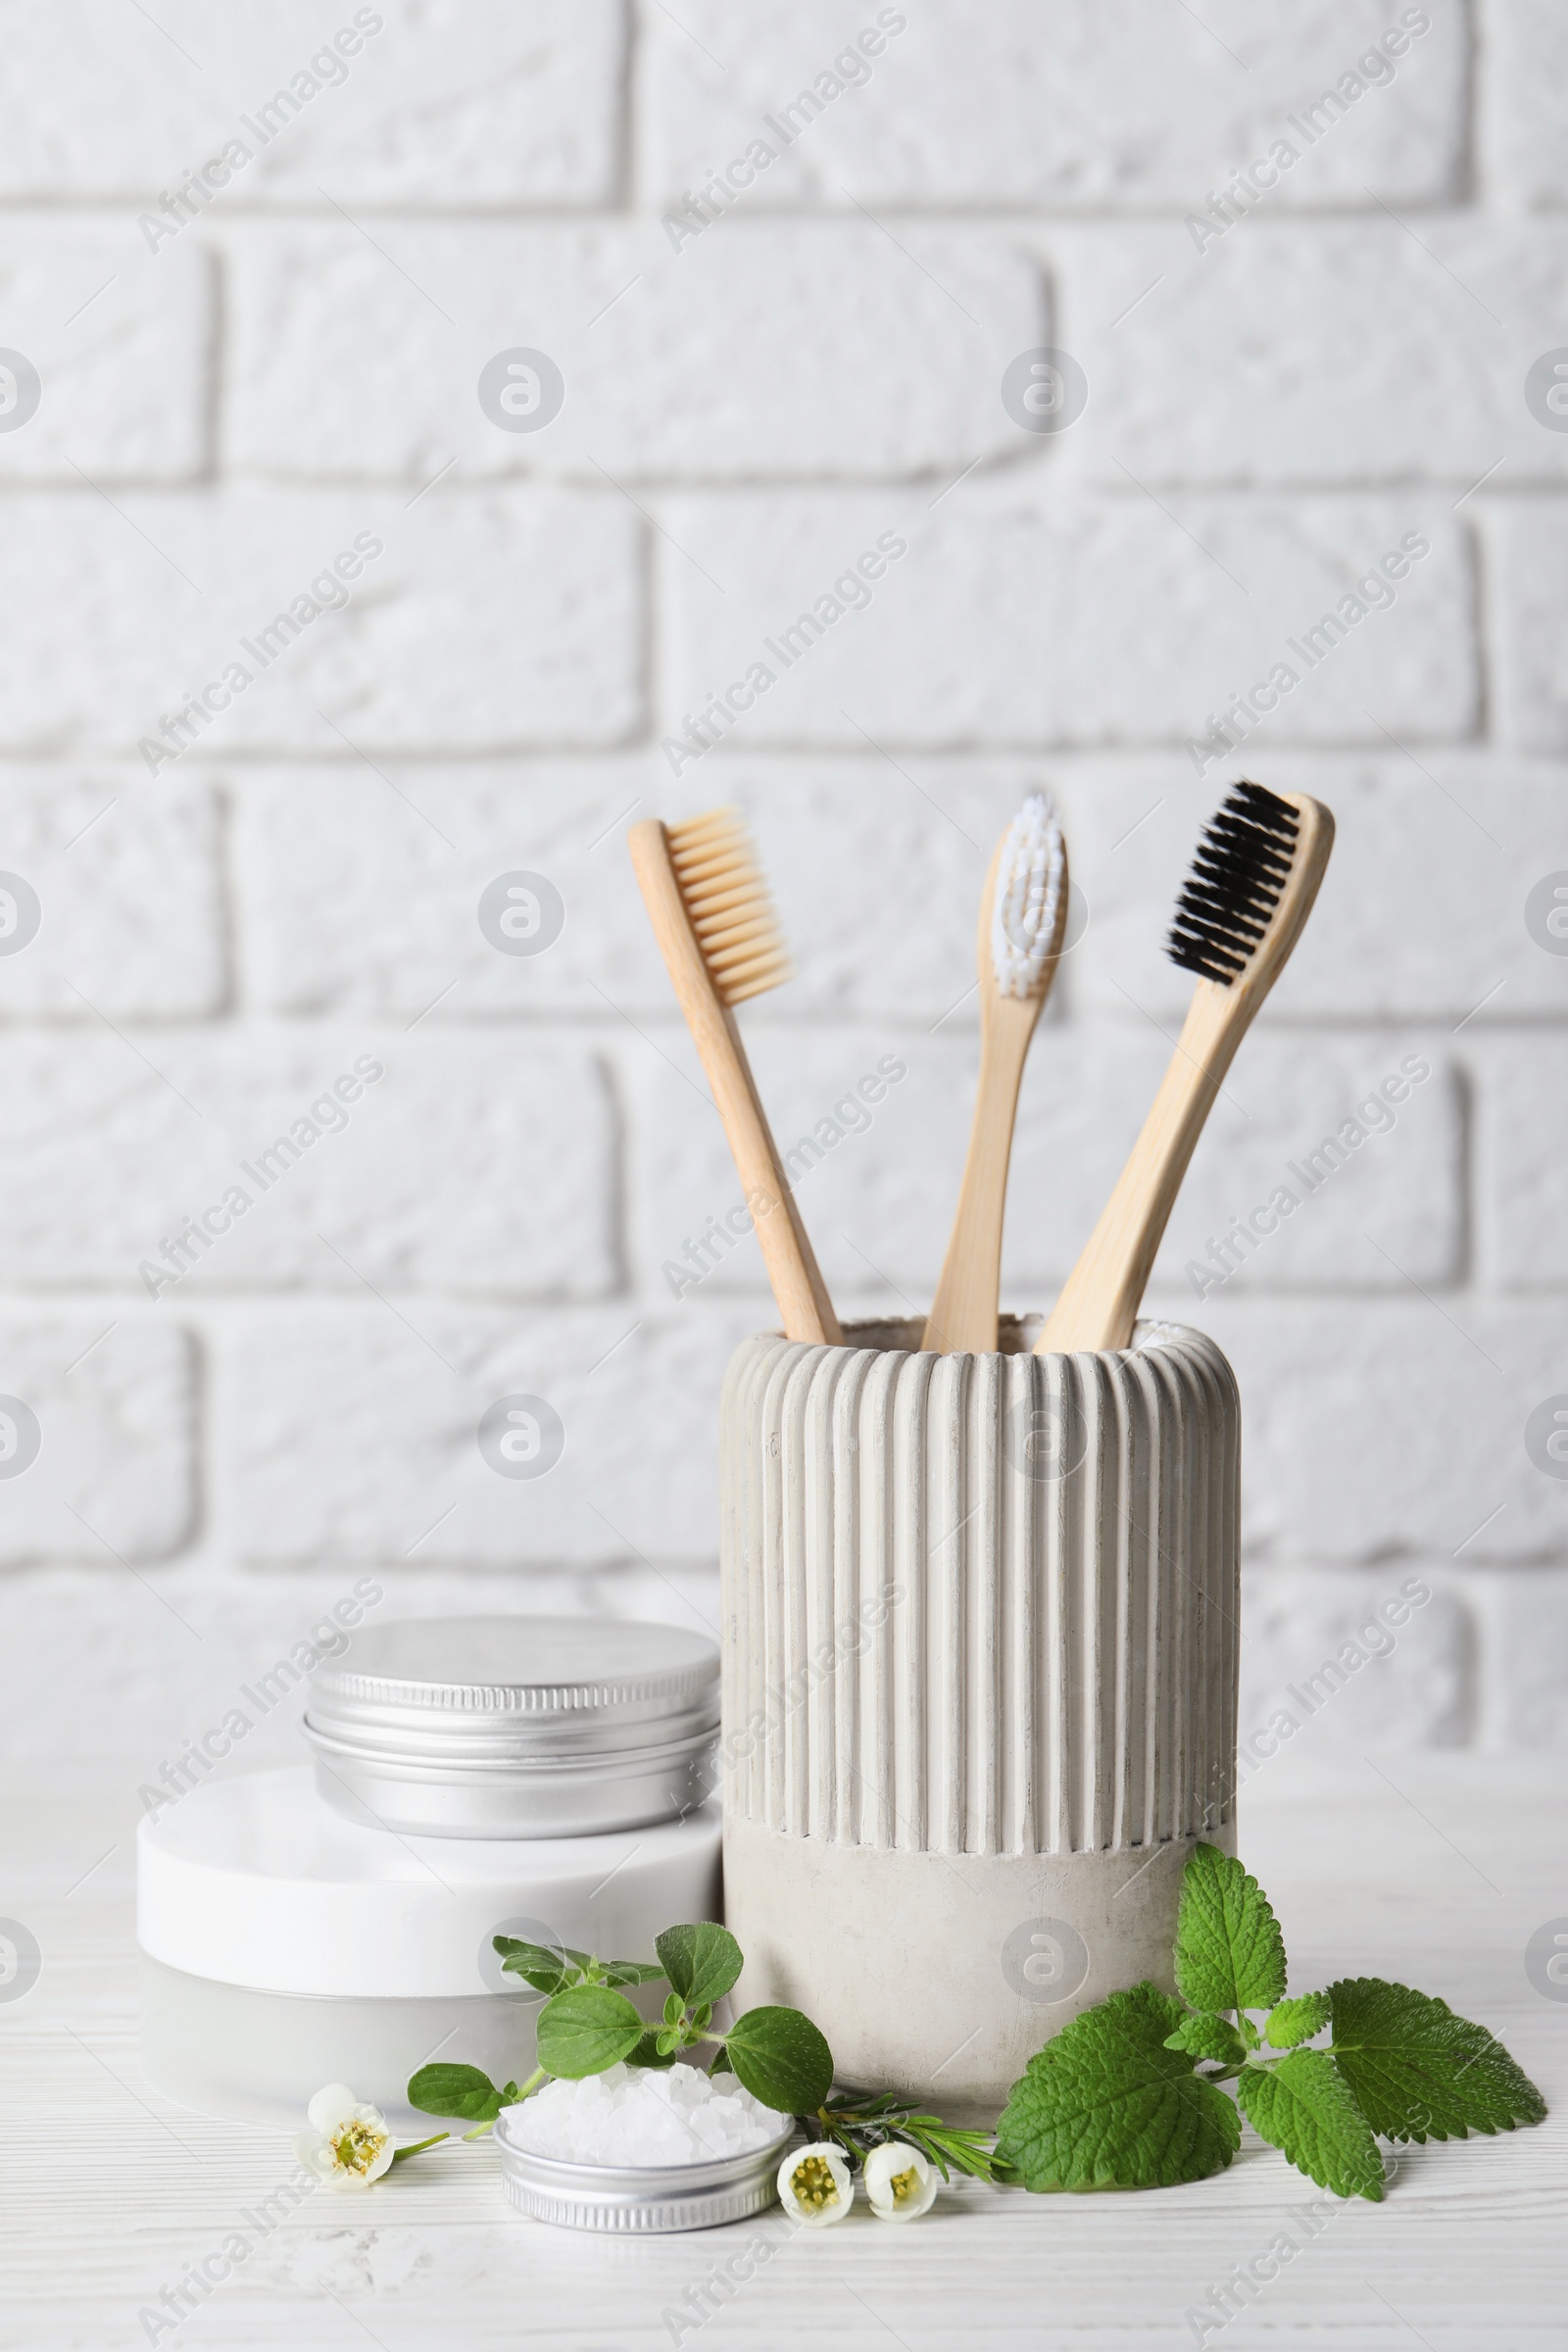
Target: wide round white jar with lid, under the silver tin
288,1946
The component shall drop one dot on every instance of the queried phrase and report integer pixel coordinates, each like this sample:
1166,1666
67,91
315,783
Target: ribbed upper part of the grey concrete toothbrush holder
981,1603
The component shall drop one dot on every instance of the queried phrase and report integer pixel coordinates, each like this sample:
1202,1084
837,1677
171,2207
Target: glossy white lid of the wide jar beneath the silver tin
257,1883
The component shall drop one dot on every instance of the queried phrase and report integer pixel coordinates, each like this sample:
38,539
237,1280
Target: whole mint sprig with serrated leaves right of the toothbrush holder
1120,2097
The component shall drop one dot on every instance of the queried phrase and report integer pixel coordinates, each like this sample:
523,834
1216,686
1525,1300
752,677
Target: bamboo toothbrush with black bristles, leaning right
1245,904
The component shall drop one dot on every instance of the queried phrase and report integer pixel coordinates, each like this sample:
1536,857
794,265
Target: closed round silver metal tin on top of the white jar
516,1728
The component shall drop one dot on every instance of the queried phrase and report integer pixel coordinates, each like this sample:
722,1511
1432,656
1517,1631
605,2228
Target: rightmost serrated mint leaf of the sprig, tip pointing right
1423,2073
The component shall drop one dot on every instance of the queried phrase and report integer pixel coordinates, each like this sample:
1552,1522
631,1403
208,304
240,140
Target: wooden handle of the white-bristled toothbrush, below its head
965,1309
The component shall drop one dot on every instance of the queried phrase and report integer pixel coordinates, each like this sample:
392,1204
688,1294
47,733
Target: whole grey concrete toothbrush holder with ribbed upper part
979,1685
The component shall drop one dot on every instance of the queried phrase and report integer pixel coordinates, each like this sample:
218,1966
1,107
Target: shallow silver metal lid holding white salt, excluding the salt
641,2200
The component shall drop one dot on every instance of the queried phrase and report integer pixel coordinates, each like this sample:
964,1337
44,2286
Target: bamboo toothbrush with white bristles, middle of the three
1024,914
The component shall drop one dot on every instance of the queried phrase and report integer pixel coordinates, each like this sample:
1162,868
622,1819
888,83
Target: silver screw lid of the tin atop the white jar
516,1688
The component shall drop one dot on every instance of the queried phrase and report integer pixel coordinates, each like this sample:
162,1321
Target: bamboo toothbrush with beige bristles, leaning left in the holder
718,933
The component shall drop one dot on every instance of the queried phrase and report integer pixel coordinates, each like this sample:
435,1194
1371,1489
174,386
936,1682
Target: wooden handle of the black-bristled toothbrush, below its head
1099,1302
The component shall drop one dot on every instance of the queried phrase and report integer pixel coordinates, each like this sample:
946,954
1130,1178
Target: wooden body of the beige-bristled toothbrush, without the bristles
786,1252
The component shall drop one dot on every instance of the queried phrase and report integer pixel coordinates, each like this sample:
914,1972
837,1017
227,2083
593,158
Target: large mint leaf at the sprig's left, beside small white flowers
1108,2106
